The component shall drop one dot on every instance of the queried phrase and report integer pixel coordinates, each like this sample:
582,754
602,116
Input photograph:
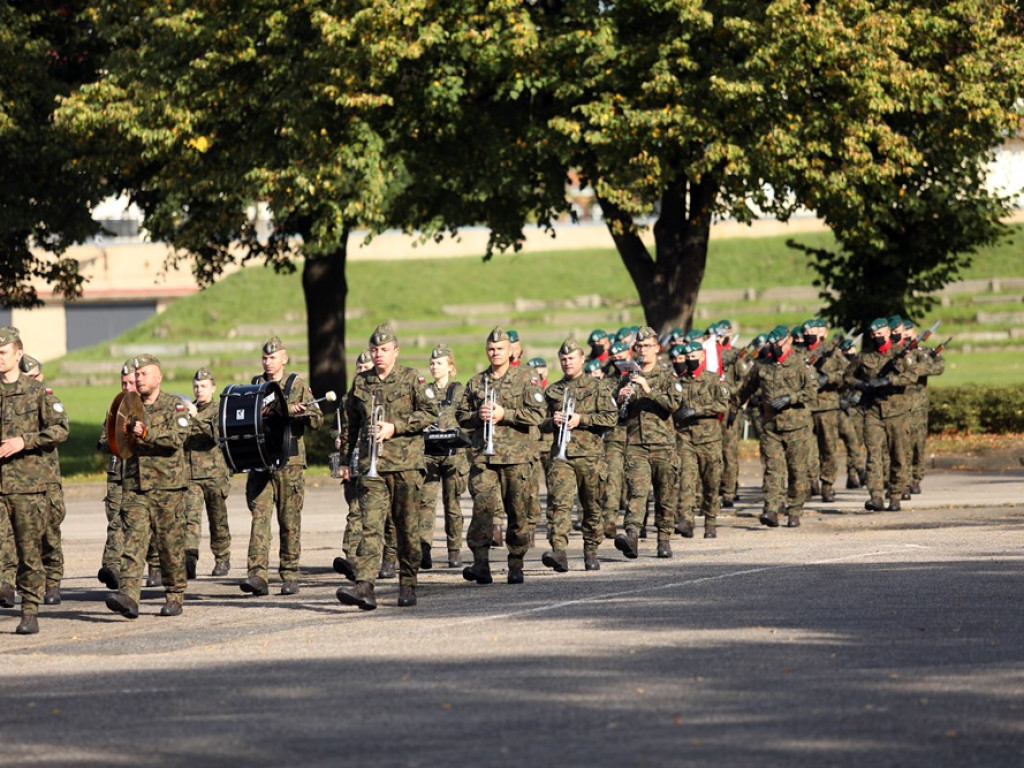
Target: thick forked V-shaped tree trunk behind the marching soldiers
668,286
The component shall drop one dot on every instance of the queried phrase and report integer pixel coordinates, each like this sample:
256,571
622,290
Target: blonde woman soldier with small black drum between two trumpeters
447,468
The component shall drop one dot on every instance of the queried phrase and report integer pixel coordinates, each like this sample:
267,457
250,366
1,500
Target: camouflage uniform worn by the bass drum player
284,489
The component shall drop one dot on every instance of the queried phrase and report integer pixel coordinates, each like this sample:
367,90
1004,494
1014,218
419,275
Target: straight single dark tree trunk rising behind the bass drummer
326,289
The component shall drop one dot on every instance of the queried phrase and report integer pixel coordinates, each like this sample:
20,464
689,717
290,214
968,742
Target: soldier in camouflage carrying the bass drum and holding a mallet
284,488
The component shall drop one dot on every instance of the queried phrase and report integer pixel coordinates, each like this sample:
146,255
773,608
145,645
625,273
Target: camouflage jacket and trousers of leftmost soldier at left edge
25,479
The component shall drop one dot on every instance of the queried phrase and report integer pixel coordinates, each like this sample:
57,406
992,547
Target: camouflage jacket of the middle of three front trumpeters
516,436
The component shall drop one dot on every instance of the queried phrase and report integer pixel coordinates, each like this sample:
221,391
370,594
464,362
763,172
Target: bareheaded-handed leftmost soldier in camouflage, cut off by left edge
30,426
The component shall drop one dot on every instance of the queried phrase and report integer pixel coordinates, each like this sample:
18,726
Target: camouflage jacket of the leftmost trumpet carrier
407,401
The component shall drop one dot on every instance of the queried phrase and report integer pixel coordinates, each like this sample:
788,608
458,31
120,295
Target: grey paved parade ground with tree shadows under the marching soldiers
860,639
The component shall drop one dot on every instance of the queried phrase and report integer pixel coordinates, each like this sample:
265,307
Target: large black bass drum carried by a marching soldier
254,432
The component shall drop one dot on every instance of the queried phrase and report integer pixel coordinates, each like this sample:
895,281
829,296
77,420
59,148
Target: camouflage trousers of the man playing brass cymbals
158,518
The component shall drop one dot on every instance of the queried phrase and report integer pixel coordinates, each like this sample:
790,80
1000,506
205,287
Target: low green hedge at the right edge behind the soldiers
994,410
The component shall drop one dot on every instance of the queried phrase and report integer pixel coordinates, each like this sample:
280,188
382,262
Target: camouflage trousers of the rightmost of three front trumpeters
567,478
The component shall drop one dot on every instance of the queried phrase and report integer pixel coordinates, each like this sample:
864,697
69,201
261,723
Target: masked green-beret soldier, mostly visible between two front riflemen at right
830,366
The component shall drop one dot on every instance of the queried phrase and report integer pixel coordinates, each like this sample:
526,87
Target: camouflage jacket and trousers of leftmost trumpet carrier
412,407
